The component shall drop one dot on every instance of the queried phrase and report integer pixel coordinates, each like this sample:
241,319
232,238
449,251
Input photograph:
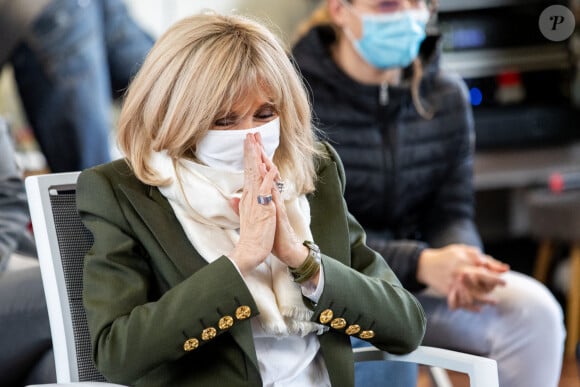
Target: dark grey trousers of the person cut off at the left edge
25,345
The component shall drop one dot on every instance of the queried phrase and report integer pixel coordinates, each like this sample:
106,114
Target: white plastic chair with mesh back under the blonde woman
62,241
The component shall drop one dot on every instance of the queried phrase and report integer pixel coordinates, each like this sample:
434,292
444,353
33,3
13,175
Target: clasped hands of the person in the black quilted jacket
463,274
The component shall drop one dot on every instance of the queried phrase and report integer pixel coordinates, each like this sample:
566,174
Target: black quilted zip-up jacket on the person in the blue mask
409,180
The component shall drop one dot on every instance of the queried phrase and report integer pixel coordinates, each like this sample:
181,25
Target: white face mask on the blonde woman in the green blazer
224,149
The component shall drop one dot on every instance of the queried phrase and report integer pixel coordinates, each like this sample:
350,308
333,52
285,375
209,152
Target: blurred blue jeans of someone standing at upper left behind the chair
77,57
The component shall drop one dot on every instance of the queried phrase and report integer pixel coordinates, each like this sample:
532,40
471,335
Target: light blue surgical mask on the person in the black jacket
391,39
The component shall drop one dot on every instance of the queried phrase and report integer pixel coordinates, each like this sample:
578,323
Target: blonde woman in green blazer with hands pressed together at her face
224,253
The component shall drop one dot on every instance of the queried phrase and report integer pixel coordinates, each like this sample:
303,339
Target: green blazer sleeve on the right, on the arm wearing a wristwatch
363,297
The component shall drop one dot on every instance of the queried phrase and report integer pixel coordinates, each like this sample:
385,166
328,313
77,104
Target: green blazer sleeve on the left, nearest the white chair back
146,326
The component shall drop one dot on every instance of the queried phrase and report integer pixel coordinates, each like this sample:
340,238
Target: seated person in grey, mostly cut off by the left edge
26,356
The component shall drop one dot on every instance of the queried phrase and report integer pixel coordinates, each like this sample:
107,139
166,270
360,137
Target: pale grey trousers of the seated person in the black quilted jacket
524,332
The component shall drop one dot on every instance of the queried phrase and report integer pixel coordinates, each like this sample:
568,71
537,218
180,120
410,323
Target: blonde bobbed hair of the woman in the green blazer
196,72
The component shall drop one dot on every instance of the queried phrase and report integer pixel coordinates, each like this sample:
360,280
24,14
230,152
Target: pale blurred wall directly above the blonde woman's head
285,15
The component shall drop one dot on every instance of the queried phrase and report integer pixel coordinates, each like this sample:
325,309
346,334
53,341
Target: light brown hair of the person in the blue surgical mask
321,16
